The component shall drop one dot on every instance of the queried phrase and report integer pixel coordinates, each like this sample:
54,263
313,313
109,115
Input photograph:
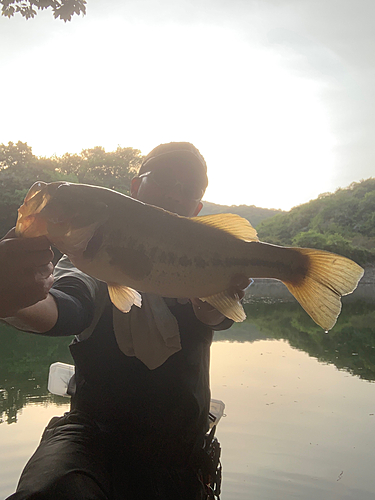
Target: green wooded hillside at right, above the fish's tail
341,222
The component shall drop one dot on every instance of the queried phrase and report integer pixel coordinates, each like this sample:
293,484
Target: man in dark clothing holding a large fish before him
132,432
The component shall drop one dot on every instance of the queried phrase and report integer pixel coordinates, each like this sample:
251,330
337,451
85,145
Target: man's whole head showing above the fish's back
174,177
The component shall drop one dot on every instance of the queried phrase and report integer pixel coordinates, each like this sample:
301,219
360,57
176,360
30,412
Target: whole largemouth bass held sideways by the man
135,247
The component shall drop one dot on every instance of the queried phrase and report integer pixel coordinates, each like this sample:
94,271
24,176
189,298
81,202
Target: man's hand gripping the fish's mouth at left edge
25,272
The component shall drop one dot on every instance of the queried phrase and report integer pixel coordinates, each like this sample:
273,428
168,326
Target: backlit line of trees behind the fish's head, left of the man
19,169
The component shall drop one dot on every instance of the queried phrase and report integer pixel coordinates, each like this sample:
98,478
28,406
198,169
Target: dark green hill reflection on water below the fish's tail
349,346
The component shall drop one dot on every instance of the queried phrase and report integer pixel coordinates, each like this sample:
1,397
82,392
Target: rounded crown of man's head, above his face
181,152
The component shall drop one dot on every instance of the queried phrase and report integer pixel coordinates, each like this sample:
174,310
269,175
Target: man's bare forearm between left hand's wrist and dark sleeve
38,318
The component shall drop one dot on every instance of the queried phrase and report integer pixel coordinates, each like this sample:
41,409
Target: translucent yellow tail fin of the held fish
329,276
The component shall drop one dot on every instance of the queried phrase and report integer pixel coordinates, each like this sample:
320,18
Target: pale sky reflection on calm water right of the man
295,428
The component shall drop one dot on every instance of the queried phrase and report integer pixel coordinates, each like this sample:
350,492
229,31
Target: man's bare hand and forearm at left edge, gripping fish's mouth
25,279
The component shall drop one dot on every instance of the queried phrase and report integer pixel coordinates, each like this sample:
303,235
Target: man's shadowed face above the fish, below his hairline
174,187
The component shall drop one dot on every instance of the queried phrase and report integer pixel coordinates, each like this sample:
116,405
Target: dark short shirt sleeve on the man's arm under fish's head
74,293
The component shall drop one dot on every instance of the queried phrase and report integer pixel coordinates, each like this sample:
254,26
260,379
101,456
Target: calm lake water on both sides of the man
300,405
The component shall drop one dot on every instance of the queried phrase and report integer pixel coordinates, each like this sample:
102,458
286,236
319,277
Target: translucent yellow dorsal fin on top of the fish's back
231,223
